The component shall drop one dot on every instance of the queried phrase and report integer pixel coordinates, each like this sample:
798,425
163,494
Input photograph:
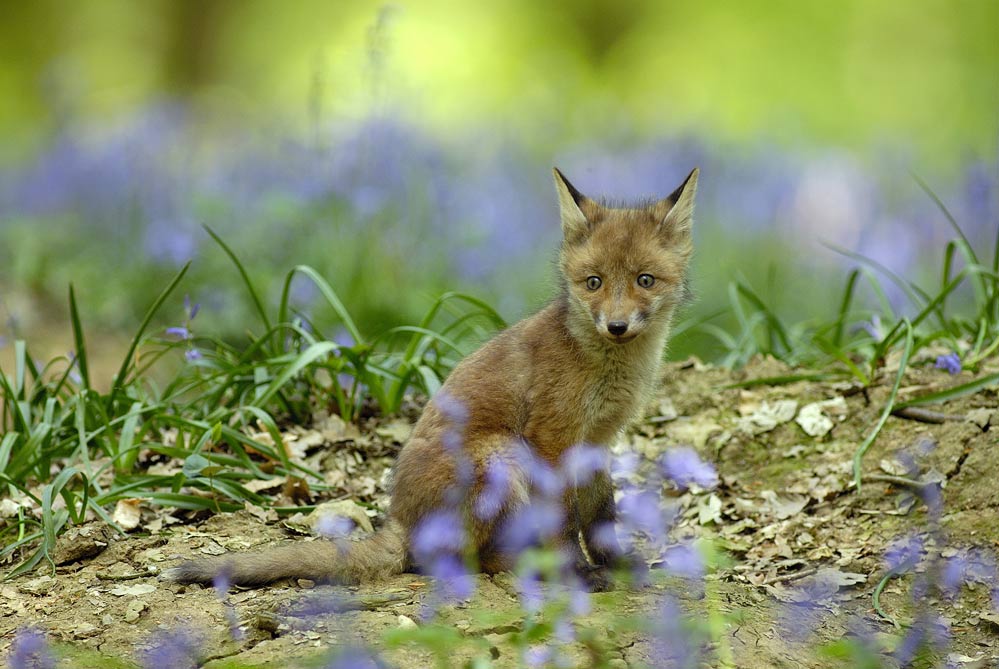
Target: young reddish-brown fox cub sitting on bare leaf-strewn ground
579,371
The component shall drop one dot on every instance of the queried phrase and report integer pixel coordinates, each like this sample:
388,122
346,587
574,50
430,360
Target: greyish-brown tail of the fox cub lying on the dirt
376,556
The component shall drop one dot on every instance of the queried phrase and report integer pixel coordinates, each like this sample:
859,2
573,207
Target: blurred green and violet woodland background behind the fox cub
405,149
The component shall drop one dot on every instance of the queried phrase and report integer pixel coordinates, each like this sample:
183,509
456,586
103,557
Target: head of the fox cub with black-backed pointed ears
624,268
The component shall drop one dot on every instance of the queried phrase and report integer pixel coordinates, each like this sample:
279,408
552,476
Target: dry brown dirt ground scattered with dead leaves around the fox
786,516
